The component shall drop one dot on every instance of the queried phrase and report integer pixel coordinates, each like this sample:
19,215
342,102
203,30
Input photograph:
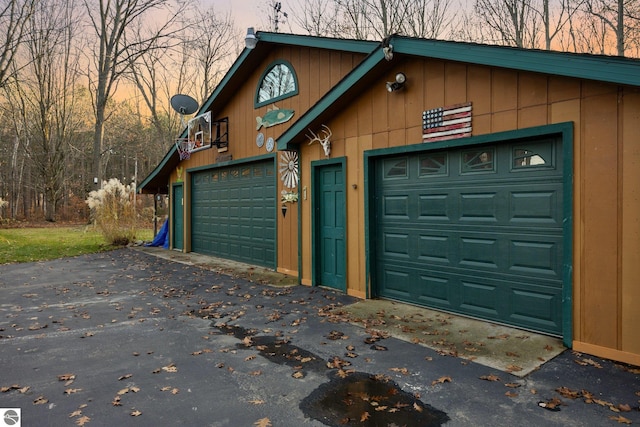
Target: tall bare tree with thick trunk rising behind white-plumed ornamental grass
113,55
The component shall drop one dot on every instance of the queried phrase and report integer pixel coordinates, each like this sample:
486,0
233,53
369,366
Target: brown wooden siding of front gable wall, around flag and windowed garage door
606,235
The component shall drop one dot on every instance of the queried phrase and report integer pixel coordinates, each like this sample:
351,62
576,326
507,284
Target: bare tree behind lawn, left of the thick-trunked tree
48,84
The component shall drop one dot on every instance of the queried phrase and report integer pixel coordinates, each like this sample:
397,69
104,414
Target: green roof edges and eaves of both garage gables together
608,69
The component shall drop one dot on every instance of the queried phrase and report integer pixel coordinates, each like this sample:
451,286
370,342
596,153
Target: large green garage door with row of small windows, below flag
476,231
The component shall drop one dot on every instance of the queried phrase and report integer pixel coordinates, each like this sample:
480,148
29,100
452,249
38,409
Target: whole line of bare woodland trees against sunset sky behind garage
85,84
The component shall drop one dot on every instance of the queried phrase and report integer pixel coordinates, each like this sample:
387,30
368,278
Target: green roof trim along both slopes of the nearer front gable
608,69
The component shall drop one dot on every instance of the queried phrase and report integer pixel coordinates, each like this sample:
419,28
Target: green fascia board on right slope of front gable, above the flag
610,69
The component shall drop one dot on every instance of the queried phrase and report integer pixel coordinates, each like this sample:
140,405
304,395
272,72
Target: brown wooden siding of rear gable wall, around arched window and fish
317,71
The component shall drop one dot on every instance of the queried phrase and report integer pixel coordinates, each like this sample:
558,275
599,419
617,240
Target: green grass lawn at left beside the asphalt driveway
36,244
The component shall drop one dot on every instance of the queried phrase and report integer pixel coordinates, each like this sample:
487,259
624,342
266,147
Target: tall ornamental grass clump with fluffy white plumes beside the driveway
113,211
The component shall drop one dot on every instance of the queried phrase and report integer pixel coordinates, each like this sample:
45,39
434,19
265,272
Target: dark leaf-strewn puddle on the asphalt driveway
349,399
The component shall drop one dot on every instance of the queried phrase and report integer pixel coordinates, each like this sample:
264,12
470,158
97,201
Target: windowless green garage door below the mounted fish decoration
233,213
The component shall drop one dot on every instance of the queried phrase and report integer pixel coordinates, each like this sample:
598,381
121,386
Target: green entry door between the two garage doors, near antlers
329,209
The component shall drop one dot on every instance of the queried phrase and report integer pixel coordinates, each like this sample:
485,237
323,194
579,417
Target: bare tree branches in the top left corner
14,15
